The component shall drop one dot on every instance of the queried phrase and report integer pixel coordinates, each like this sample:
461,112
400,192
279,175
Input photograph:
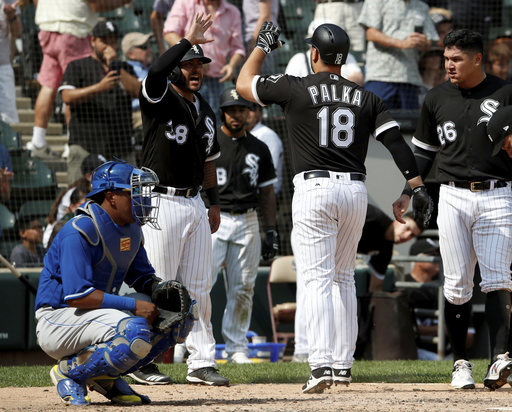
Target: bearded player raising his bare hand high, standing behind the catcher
180,145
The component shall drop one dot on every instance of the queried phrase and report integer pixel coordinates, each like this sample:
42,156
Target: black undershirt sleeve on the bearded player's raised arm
156,81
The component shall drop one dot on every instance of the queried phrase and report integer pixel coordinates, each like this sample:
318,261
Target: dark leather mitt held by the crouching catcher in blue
174,302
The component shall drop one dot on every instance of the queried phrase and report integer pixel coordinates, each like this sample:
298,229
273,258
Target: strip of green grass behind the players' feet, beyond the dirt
281,372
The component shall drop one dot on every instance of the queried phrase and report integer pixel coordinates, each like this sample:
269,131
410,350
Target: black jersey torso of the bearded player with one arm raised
177,139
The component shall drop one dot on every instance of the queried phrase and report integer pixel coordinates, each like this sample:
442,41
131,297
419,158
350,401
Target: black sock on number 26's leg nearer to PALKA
457,323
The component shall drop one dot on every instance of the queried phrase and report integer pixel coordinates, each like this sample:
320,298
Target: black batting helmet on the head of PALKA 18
332,43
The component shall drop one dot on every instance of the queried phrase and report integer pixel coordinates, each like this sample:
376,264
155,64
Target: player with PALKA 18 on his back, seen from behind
329,120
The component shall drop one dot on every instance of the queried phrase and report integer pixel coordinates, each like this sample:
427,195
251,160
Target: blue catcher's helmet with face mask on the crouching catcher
121,176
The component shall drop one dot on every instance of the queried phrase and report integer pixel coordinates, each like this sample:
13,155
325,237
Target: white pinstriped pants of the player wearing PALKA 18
328,217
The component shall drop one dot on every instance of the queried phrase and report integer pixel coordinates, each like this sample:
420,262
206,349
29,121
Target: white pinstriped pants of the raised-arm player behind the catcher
182,250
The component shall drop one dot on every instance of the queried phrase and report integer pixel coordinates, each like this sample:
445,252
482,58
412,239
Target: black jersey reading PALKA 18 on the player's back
329,119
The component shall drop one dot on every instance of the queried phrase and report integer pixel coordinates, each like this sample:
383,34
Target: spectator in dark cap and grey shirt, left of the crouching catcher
30,252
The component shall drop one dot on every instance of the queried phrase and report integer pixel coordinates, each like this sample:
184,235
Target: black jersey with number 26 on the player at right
454,121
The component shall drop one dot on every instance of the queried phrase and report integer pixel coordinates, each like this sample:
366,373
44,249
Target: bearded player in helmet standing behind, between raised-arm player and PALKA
246,177
